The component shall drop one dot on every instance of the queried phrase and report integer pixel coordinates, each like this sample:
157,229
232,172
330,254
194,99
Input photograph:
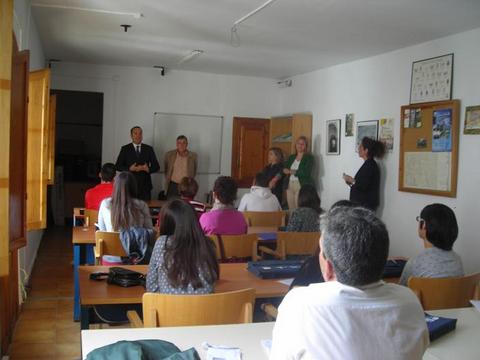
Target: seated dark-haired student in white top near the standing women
260,197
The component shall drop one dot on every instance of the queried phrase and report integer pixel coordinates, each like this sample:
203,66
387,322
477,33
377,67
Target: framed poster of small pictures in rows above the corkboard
432,79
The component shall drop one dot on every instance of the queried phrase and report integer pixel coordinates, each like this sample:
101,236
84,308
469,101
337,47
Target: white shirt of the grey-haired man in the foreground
334,321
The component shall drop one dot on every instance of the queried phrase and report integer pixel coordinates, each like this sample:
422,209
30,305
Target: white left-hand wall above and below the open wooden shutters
27,38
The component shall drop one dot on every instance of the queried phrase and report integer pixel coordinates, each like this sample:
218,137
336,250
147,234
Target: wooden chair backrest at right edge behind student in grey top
446,293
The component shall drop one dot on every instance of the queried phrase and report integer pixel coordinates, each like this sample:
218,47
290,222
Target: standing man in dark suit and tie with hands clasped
140,160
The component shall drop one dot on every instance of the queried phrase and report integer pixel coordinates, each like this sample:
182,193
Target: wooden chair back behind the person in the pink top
235,246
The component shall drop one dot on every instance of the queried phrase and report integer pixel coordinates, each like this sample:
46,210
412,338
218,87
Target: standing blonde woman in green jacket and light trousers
299,168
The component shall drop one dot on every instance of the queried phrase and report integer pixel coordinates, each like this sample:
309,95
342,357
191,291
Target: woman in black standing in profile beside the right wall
365,187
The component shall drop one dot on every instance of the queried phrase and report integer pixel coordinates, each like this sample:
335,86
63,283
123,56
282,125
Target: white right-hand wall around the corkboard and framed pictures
376,88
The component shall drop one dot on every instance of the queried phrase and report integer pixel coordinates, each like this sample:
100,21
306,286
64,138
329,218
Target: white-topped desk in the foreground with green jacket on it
459,344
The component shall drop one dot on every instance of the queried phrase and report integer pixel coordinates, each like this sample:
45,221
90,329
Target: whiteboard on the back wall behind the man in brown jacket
204,135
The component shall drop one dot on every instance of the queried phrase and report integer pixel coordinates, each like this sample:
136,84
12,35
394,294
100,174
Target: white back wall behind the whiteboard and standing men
133,94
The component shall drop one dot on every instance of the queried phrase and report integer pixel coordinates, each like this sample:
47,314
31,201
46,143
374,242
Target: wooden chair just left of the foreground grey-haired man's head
293,243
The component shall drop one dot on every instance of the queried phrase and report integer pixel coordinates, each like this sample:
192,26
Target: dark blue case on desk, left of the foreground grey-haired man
275,269
